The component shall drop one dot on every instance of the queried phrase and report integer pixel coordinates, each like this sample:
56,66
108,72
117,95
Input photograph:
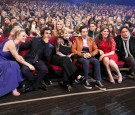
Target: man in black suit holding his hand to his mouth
38,56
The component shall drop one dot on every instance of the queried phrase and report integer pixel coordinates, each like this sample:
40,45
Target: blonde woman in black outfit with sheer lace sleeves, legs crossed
63,58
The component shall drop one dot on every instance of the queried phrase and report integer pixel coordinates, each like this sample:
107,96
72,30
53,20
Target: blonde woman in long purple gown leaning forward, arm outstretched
10,74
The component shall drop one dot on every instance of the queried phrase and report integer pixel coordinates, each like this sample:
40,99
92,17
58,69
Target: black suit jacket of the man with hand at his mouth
36,47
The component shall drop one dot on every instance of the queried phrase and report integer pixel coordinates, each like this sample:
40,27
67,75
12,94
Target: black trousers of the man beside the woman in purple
40,66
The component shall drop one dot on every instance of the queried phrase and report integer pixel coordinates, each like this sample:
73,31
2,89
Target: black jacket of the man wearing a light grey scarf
120,48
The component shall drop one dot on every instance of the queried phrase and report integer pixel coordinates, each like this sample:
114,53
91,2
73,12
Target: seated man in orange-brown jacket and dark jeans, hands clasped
86,49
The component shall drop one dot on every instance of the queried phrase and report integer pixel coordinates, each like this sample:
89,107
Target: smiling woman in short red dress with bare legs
108,56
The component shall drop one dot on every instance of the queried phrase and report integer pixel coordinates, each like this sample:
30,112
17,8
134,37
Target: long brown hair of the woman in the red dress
100,38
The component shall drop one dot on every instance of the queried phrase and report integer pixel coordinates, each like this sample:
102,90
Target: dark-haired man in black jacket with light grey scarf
125,45
